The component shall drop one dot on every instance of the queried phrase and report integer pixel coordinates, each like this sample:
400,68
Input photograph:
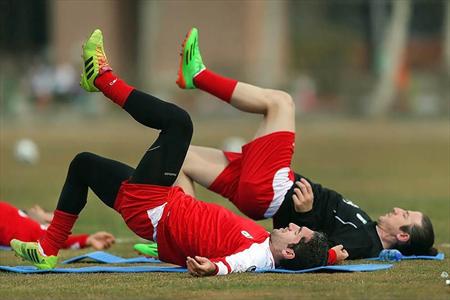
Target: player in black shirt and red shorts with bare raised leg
261,183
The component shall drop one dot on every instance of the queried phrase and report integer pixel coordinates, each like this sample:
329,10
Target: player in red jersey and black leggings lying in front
205,237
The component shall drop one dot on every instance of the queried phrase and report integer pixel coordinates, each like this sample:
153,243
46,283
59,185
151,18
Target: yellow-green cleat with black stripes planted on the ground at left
31,252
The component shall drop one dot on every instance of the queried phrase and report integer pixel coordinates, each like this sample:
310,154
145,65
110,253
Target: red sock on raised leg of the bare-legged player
215,84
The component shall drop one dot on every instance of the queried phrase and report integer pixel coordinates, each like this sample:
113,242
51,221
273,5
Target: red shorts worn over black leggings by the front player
142,206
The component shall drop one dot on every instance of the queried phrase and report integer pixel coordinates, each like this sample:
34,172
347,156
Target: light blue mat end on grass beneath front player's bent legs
107,258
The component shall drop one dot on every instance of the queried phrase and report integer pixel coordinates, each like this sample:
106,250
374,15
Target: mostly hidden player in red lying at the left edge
31,225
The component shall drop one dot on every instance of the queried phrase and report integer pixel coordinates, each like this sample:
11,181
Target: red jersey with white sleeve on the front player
191,227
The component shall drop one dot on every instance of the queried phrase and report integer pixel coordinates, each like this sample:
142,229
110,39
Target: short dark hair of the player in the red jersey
313,253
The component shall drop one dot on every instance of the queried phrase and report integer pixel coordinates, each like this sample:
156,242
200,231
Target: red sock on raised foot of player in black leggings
113,87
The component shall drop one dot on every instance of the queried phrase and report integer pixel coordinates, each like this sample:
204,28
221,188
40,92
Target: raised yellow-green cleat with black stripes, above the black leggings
95,62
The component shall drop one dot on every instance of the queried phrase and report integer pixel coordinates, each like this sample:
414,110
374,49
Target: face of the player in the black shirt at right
398,217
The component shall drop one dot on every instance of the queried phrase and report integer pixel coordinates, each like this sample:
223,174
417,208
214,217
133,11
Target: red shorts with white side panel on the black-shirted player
257,180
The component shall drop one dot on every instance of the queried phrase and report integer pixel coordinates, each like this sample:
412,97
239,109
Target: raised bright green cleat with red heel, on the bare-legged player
190,61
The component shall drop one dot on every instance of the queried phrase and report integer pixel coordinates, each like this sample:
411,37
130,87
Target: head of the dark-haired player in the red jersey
299,247
